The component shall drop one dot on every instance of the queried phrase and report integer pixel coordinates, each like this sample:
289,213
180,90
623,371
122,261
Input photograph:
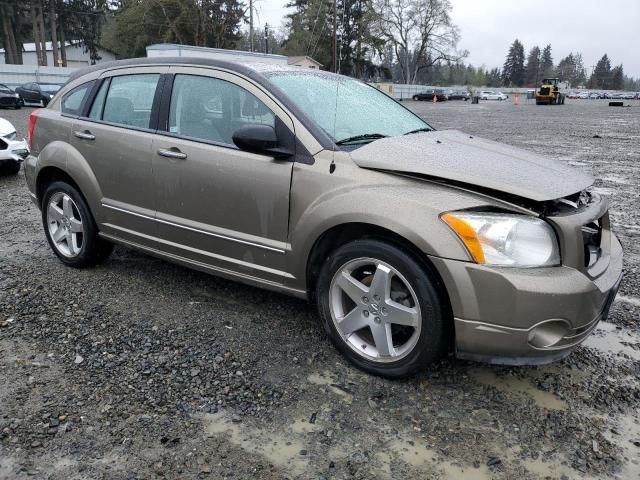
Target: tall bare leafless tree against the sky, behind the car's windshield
421,33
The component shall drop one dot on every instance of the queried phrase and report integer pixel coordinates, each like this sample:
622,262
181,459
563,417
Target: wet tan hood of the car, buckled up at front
459,157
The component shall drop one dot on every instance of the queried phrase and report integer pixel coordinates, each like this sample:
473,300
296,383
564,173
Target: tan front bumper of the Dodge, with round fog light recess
531,316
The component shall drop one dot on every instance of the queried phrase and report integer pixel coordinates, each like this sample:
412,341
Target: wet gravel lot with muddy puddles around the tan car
143,369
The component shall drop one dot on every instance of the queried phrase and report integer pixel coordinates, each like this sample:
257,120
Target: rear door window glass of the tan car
130,99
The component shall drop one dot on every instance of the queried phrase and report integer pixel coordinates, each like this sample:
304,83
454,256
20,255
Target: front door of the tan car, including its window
216,204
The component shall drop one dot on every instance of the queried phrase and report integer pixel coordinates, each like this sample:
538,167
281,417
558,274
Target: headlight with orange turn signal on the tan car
504,239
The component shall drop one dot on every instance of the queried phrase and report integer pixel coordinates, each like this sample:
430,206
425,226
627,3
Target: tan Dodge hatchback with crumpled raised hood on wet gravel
413,242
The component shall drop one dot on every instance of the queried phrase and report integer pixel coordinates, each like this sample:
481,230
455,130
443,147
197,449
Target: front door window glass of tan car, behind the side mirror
211,109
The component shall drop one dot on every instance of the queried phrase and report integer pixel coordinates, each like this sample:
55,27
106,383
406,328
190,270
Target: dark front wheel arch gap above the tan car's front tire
344,233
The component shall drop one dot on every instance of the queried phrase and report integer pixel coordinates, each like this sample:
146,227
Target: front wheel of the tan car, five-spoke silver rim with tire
381,308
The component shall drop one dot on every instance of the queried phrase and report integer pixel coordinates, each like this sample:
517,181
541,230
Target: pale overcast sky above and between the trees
488,27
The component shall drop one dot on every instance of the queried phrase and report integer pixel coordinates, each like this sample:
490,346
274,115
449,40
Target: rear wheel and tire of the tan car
70,228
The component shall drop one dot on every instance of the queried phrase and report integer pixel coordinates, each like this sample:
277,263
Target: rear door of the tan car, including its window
115,136
